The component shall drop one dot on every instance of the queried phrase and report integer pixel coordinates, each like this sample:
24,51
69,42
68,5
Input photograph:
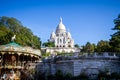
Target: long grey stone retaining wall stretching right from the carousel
89,65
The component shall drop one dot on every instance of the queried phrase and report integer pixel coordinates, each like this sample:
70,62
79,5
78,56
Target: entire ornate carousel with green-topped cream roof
14,58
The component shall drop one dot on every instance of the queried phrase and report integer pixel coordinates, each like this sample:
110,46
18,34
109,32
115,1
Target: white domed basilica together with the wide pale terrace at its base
62,39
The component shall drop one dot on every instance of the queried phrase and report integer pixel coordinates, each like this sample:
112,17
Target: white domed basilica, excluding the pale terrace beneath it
61,37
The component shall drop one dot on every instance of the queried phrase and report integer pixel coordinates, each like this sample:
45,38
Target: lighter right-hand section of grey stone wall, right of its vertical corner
94,66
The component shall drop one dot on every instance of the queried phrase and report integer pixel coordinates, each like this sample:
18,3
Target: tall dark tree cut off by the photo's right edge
115,38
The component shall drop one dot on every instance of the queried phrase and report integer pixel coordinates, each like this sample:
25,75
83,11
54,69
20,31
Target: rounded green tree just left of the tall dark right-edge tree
103,46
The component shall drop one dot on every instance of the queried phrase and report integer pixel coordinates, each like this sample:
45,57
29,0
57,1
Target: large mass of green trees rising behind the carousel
24,36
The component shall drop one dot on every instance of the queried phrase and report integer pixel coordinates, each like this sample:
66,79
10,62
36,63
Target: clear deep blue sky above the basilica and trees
86,20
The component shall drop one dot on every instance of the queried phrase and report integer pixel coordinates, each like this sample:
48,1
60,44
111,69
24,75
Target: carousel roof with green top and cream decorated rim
14,47
